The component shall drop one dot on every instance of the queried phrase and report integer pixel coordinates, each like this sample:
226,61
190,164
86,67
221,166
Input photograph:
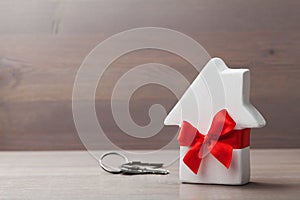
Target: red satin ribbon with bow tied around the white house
220,140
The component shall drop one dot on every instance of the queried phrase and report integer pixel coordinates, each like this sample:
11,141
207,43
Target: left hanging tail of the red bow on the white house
193,159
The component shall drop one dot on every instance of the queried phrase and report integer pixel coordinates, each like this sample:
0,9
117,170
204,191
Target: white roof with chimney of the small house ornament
215,88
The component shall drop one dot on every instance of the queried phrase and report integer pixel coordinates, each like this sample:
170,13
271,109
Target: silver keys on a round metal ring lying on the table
132,167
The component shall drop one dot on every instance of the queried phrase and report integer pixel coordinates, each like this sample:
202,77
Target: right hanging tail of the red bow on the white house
223,153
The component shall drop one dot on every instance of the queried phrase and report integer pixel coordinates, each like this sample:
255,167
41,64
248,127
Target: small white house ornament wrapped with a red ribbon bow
215,119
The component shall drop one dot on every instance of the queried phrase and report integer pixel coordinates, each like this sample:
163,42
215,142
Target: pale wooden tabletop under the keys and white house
76,175
